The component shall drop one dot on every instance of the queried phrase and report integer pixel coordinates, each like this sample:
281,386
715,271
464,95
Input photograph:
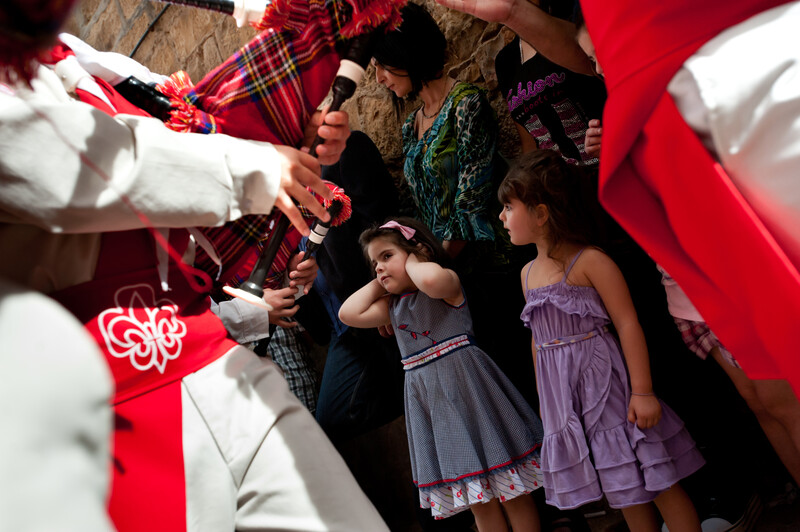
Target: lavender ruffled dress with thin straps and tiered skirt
590,448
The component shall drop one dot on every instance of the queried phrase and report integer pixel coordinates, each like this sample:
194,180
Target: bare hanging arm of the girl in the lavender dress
606,278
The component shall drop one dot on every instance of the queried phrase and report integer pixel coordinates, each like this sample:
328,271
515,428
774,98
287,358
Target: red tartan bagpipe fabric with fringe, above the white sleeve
270,87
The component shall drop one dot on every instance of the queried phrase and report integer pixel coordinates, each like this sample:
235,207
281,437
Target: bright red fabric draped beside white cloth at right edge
662,186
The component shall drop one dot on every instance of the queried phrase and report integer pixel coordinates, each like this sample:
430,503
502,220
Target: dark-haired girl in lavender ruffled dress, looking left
606,432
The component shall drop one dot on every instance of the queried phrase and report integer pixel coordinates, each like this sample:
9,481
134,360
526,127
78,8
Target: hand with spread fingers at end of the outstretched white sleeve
298,171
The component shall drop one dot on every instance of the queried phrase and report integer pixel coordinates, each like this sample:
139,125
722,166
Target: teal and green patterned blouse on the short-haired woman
449,170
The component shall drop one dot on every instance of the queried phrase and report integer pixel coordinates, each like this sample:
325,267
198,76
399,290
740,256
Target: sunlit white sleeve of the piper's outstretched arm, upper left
67,167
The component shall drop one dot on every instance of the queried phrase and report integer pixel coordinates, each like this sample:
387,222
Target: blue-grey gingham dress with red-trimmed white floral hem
471,435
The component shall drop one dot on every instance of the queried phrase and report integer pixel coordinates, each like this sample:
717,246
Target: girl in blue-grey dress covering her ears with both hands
472,437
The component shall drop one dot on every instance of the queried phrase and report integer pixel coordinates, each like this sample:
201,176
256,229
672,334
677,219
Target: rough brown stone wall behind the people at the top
167,38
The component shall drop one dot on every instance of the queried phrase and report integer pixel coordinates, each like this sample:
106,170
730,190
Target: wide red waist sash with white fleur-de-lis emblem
150,337
